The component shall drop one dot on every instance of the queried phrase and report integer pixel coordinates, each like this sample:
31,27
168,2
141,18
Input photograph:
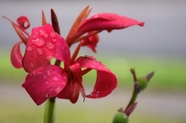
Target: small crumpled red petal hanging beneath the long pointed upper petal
91,42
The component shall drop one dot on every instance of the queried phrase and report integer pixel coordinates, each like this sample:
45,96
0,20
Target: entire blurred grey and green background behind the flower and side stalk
159,46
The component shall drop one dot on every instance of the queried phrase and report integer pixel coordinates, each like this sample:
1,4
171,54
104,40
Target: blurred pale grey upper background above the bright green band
164,33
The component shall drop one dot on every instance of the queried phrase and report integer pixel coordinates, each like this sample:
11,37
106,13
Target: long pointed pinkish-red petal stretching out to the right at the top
106,21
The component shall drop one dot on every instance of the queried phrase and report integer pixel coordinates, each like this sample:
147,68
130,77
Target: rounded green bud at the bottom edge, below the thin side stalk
120,117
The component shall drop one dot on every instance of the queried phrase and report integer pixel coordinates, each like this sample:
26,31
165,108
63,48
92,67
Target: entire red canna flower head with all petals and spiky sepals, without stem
44,44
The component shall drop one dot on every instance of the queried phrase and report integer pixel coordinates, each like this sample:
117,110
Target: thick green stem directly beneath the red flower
49,110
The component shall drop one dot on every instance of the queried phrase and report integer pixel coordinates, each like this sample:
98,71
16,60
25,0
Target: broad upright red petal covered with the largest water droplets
43,45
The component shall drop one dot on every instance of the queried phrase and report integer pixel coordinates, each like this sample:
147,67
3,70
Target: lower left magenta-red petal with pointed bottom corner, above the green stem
45,82
